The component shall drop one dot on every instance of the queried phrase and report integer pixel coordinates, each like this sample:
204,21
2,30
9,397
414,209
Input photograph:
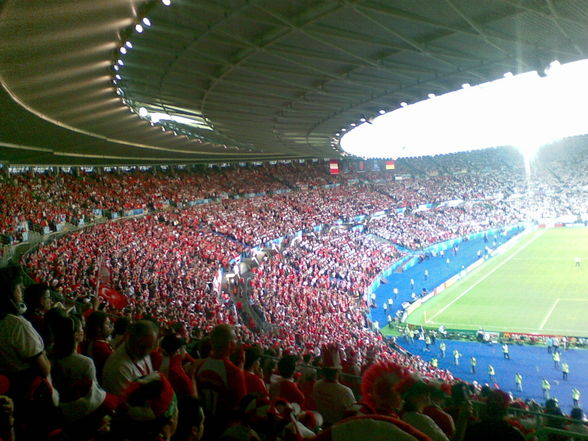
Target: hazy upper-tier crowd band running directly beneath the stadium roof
553,188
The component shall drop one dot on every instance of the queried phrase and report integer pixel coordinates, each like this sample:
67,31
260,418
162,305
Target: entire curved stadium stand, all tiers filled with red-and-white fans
300,257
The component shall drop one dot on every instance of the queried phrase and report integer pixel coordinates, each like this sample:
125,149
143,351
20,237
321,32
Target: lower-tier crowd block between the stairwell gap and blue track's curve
312,292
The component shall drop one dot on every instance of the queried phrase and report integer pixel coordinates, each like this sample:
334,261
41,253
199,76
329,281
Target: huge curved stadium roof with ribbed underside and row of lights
259,79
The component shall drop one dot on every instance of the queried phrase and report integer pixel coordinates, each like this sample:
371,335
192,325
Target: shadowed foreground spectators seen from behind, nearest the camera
73,372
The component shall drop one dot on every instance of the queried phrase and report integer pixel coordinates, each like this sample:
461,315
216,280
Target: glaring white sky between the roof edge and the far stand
525,110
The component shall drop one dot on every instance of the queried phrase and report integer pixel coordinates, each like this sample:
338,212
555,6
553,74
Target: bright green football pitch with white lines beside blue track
534,287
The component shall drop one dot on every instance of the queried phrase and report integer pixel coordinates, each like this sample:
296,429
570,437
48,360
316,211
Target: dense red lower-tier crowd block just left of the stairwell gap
162,268
